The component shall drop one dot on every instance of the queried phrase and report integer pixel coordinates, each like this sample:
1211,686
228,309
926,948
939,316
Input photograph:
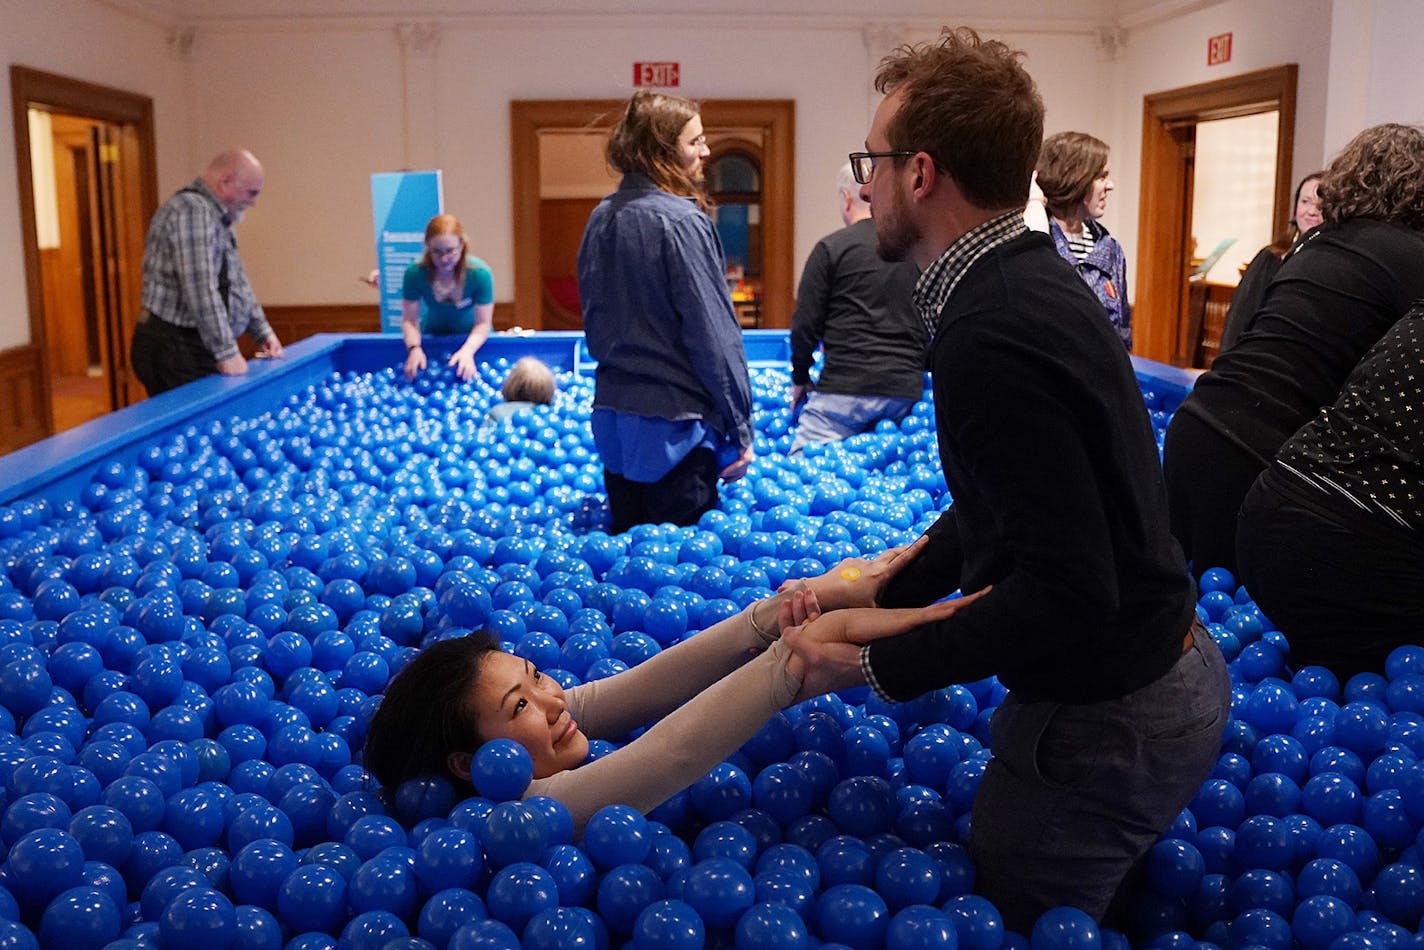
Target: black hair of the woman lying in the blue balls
425,714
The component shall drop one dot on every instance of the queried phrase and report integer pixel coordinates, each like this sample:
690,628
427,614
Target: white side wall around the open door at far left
82,41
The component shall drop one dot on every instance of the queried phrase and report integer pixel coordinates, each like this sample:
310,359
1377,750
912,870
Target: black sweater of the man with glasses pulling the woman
1059,499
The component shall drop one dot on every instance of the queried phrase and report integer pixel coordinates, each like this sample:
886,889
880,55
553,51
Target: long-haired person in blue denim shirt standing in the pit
673,401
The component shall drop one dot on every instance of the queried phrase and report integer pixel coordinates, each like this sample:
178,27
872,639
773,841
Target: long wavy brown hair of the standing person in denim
646,140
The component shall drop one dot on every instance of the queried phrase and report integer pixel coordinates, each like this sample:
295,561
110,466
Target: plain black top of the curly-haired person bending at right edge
1341,290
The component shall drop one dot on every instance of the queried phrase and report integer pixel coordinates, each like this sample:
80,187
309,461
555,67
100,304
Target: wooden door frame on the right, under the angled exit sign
1164,219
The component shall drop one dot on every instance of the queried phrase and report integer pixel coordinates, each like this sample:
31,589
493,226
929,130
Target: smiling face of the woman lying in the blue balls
515,701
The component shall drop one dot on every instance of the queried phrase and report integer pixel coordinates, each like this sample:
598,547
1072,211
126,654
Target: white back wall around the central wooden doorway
324,123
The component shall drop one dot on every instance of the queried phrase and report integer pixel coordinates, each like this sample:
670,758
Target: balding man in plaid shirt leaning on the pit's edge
197,298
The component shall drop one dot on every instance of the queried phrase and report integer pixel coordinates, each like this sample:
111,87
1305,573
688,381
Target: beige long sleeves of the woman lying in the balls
707,696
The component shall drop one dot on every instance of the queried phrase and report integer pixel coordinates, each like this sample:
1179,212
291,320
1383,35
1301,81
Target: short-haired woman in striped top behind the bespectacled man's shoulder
1073,174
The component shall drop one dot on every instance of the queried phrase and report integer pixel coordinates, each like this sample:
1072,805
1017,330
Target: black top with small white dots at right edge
1366,452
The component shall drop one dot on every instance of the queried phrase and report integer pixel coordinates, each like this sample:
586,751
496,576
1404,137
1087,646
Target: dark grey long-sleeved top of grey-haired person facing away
859,310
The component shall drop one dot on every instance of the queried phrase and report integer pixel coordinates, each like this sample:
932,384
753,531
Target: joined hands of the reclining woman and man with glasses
829,619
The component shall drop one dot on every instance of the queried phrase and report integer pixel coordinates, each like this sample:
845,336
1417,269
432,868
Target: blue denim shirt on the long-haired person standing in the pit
657,313
